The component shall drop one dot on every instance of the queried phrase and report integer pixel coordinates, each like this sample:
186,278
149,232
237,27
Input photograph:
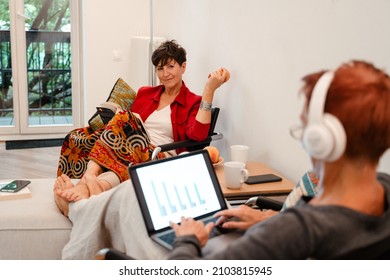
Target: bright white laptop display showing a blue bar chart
176,191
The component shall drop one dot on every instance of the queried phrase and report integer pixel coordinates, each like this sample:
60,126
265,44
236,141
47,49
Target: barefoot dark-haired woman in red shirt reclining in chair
170,112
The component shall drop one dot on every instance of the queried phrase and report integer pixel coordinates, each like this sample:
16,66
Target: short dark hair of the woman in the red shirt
169,50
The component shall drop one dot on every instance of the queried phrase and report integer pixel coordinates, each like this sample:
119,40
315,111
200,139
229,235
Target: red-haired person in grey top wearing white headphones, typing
345,130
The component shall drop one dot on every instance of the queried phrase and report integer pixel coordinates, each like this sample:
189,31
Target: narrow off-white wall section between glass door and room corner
108,28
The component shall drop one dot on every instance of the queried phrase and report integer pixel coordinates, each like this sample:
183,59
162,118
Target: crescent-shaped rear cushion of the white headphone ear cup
339,136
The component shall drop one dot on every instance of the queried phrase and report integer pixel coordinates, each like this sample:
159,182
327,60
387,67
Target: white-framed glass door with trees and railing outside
39,66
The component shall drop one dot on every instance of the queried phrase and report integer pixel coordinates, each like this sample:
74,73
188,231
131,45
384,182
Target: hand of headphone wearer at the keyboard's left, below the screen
189,226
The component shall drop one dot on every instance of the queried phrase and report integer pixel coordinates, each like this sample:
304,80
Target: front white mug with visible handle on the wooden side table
235,174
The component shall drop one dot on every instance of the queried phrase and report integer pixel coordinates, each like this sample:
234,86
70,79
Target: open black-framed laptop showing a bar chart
168,189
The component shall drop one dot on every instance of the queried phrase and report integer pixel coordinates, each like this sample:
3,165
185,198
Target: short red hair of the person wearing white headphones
359,97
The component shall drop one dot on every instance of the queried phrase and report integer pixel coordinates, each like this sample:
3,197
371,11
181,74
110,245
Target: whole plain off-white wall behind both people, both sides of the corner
267,45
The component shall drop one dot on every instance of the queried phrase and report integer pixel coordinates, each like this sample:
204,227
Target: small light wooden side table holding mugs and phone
281,188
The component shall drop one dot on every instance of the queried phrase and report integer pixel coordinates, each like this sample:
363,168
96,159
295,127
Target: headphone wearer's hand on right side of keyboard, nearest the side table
243,217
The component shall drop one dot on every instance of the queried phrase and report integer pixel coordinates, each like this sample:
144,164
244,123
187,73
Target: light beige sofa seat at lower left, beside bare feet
33,228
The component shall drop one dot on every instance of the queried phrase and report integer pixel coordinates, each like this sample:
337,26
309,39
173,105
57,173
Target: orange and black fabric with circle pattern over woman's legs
121,142
